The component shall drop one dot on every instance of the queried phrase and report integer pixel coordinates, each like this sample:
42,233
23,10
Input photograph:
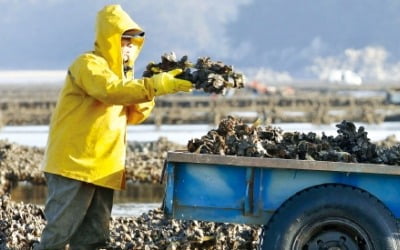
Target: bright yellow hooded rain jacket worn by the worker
87,138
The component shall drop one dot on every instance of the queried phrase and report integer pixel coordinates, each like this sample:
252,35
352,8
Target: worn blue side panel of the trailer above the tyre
218,192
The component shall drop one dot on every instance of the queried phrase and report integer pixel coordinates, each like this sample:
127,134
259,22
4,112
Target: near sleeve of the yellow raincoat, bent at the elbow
96,79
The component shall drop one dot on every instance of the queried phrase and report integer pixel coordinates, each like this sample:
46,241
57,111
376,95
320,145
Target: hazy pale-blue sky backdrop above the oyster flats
276,40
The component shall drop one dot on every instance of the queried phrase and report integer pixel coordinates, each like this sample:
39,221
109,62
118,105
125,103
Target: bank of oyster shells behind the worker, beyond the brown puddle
144,162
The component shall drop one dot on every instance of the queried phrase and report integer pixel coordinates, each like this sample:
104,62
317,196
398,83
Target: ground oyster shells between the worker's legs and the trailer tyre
153,231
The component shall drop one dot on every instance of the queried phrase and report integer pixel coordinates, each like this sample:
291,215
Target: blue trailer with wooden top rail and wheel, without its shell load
302,204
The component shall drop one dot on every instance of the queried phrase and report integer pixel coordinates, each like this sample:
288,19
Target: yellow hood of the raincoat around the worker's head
112,21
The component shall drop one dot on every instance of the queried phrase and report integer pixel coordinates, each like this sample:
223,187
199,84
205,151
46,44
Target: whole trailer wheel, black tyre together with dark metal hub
331,217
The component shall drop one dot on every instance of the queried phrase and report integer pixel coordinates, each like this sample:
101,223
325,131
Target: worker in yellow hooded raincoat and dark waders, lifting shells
85,154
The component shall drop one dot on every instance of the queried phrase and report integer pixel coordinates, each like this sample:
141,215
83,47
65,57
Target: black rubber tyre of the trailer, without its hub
331,201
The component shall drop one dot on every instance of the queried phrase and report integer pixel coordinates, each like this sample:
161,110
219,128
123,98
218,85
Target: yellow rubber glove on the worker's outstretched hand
166,83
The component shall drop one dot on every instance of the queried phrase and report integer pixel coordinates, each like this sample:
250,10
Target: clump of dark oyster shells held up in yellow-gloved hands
212,77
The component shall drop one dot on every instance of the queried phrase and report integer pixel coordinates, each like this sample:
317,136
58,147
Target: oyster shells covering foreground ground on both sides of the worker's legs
21,226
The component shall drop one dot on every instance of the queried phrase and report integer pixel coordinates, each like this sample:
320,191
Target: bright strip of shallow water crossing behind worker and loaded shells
37,135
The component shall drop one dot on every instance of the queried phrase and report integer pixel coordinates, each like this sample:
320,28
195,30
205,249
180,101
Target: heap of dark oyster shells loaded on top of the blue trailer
351,144
